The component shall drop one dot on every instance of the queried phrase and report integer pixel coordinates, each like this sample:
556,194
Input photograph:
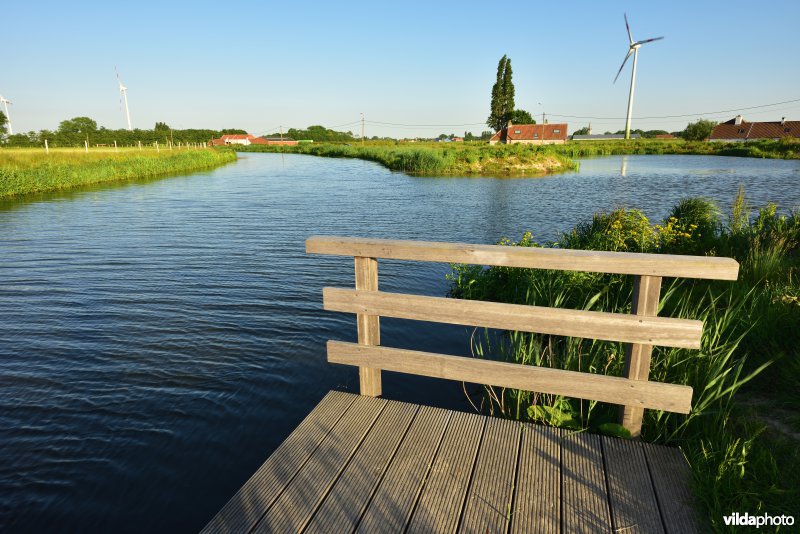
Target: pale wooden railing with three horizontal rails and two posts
641,329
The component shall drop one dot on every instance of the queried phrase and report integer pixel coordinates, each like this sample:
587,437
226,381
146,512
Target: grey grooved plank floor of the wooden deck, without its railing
370,465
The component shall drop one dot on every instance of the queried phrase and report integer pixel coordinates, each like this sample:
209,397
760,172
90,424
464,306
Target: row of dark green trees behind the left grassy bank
79,130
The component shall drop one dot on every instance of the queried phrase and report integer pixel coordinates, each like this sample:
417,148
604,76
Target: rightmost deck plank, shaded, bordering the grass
671,477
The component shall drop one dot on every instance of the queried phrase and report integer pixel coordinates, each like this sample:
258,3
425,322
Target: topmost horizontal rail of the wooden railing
663,265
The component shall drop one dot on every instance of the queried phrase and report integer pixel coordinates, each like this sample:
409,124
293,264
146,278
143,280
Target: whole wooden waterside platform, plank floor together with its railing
362,463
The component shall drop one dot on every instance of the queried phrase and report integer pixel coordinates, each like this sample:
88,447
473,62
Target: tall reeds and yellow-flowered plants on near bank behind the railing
741,438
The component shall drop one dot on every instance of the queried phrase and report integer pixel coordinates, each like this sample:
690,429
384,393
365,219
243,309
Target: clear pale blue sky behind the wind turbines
260,65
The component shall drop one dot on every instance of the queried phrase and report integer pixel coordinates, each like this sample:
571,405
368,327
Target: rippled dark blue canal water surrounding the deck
159,339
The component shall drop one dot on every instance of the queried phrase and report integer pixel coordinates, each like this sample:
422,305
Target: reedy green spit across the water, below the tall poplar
440,158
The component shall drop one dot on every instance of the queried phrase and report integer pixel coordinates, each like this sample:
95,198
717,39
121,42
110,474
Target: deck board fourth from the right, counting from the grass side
537,499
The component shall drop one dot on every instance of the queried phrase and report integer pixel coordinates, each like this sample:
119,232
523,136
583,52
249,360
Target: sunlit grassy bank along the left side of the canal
24,171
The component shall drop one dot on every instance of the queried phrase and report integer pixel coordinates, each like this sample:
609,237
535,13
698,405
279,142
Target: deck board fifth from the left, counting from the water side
440,504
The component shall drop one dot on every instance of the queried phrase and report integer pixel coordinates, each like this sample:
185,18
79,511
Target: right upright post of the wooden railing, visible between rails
646,294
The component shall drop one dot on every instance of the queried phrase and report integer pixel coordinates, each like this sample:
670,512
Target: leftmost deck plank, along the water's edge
247,506
